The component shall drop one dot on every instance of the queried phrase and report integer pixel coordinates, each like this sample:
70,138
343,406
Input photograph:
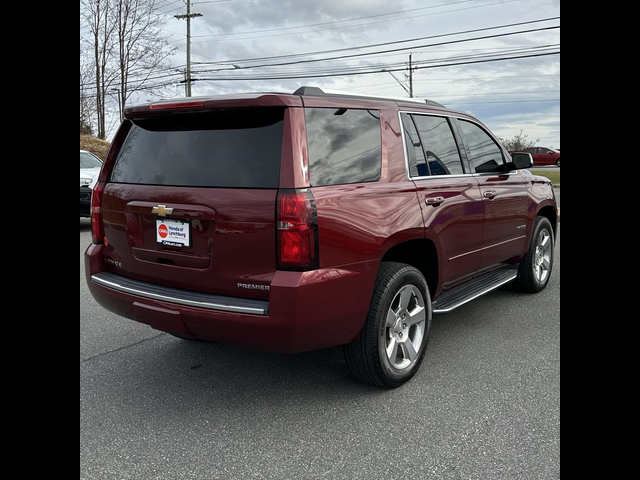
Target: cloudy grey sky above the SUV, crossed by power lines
287,38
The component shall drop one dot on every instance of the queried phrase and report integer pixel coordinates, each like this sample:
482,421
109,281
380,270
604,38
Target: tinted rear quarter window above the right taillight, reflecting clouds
344,145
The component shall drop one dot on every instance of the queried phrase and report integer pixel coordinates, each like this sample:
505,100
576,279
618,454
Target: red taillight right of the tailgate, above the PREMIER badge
297,227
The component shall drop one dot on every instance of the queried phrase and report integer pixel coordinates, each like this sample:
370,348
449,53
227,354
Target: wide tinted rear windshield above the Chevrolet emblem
239,148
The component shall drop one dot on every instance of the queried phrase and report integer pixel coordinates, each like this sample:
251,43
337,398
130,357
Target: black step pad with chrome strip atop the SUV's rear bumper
179,296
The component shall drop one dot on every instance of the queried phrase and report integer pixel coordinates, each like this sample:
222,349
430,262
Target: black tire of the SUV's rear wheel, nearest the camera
367,357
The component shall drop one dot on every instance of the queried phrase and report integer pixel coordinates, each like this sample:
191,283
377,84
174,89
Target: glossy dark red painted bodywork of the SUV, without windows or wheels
234,235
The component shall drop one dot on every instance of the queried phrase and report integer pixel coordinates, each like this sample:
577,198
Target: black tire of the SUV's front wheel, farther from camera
528,279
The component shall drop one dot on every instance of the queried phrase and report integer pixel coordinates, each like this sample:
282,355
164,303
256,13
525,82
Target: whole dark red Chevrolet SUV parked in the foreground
292,222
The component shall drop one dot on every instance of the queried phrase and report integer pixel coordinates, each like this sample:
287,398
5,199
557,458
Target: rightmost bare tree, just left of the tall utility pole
141,46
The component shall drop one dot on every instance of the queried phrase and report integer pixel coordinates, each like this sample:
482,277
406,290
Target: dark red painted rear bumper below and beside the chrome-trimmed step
298,307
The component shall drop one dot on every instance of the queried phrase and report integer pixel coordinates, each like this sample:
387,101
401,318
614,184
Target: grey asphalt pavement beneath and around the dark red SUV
484,405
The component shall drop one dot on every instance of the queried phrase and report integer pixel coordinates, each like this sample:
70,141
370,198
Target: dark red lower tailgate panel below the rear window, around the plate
233,237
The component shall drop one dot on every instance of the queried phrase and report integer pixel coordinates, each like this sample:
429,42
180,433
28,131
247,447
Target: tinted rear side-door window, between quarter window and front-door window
439,144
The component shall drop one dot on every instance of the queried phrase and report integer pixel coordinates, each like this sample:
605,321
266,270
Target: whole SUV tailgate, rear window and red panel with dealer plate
190,201
